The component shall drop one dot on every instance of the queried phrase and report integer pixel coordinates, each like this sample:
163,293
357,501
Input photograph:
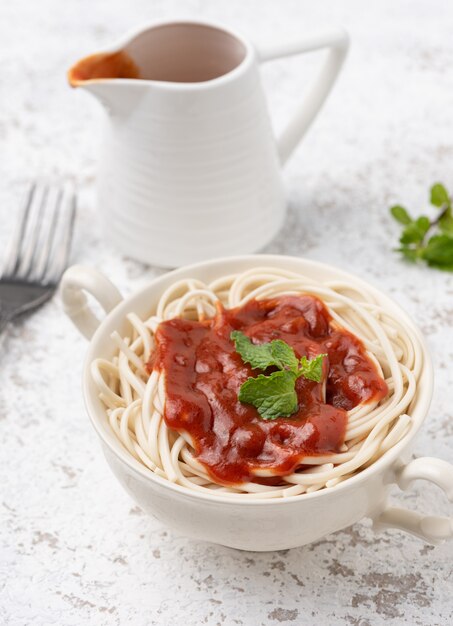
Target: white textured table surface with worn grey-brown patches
74,548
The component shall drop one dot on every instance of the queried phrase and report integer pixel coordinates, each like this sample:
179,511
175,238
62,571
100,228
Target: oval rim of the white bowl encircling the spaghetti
117,314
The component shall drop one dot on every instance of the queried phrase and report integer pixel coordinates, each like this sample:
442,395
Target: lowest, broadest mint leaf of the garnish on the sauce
273,396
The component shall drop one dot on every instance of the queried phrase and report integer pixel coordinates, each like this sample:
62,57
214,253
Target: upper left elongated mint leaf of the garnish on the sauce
277,353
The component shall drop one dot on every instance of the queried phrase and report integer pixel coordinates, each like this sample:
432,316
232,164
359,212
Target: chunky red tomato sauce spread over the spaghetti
203,375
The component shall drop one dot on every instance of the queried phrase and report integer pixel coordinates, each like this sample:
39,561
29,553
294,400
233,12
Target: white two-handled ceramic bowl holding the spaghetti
253,524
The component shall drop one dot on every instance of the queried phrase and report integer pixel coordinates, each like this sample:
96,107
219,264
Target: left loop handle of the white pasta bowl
78,279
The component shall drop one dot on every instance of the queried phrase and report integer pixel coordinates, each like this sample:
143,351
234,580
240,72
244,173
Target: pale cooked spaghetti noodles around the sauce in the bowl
135,398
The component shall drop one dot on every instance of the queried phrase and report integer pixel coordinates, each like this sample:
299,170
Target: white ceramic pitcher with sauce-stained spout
190,168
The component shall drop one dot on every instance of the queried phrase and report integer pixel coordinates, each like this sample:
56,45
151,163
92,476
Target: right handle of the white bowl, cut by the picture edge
431,528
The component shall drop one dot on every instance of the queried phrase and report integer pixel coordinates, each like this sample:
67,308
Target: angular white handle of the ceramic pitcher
337,40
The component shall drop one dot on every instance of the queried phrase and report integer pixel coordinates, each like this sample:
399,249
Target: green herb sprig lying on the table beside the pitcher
425,239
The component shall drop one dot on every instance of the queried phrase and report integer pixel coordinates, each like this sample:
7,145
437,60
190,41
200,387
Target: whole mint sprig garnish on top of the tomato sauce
274,395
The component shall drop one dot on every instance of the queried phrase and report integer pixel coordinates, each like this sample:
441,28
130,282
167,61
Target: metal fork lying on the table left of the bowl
38,252
